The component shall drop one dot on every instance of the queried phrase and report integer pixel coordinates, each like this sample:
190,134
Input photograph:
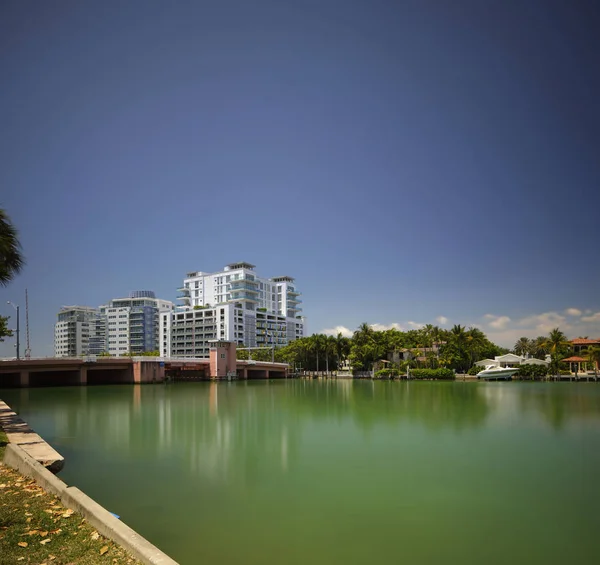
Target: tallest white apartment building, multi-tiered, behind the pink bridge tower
234,304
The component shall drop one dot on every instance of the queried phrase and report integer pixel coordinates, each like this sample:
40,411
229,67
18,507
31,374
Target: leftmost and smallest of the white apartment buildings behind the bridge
79,330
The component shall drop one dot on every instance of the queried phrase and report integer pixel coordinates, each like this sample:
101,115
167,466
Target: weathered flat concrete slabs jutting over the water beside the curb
20,433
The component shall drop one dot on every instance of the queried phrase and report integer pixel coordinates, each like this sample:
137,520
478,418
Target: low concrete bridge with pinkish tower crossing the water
221,364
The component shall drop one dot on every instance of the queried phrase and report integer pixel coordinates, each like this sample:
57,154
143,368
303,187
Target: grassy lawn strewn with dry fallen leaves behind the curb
36,528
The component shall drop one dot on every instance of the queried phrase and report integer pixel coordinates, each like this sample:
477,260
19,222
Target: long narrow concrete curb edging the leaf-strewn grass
109,526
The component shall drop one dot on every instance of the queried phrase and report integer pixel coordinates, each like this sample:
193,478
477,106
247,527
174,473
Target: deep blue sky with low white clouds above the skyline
405,161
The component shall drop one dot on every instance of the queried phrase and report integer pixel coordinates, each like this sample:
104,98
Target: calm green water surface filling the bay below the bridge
307,472
